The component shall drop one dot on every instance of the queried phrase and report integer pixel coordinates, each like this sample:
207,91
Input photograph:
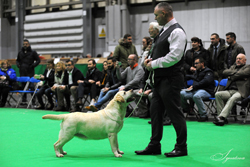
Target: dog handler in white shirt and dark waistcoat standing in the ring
166,64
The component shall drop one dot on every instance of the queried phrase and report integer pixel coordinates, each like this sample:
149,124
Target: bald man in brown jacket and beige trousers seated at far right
237,87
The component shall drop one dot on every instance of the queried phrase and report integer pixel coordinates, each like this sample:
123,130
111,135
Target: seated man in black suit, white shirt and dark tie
69,86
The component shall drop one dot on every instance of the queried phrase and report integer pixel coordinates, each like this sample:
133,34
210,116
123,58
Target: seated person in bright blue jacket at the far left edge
7,76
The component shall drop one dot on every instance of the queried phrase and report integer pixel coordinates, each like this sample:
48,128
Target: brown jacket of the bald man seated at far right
241,77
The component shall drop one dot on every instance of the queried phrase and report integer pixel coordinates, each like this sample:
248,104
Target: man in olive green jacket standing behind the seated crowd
123,50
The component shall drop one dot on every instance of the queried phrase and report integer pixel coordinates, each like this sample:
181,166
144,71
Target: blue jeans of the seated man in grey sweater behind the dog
104,97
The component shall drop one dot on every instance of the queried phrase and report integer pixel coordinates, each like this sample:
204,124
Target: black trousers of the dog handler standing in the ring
166,96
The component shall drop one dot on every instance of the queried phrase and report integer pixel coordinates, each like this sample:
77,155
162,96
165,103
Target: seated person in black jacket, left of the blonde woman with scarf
48,78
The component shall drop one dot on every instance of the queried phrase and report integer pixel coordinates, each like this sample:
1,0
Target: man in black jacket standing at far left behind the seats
27,60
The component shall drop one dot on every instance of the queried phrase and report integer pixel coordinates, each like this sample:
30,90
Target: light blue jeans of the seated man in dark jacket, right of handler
197,96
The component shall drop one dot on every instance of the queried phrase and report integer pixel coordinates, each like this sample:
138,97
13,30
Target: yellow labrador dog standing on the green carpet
103,124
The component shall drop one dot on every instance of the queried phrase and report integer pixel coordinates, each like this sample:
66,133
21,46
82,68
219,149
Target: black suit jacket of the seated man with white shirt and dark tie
76,75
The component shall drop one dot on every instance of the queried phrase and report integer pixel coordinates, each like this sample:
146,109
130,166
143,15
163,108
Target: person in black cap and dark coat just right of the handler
191,54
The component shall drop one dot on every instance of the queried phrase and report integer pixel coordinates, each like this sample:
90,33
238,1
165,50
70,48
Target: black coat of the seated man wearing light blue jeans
203,79
